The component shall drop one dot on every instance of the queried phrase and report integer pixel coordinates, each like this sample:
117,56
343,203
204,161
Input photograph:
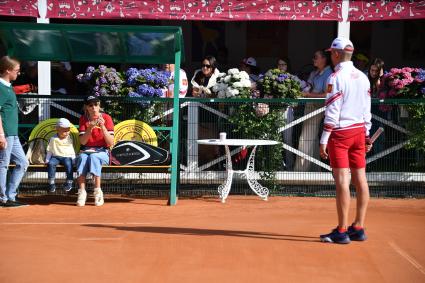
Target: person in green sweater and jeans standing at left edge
10,146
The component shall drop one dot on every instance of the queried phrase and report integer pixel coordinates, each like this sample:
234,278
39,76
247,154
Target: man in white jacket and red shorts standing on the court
345,140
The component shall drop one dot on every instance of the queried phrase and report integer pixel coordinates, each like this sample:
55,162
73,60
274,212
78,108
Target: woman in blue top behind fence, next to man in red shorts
309,138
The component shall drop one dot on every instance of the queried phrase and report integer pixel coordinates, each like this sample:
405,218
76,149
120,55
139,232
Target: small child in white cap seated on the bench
60,150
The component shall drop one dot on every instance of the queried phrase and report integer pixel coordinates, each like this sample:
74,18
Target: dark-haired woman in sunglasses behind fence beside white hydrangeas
205,78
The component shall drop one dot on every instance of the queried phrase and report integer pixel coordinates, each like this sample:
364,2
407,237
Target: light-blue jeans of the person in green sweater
13,153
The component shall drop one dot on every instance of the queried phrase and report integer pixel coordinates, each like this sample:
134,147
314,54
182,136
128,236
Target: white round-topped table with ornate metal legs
249,172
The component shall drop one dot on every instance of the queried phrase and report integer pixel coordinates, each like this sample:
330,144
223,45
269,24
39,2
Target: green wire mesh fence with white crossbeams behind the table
392,169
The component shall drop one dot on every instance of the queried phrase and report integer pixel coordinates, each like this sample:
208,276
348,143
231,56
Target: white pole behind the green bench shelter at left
44,77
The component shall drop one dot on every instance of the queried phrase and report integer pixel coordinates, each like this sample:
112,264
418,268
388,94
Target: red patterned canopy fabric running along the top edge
218,10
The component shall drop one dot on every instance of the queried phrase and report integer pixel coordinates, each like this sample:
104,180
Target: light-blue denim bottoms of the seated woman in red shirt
92,163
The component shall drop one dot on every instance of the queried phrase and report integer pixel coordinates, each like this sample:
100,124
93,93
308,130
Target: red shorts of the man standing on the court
347,148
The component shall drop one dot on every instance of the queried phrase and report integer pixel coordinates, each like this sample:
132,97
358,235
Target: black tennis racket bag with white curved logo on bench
137,153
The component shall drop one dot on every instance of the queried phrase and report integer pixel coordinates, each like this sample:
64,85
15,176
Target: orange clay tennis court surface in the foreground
203,240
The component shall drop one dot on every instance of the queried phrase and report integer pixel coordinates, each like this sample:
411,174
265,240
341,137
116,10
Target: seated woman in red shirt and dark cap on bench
96,137
